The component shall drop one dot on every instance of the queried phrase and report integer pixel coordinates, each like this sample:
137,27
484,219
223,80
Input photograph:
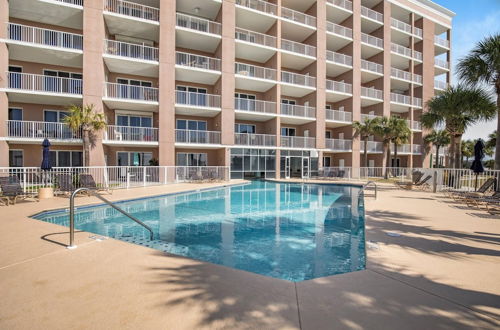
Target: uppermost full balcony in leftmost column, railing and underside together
32,44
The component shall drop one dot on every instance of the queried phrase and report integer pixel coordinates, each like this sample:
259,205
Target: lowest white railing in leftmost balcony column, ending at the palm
21,129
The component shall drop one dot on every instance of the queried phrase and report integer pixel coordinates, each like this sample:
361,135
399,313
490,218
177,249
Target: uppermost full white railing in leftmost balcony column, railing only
45,37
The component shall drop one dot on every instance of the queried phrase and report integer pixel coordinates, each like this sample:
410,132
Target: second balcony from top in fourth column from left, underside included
254,46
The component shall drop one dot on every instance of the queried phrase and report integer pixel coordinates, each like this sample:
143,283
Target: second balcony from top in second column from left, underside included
127,58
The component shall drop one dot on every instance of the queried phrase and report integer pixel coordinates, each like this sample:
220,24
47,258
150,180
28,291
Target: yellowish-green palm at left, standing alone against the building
86,120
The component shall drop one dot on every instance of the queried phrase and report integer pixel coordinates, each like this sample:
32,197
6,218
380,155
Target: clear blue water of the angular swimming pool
288,231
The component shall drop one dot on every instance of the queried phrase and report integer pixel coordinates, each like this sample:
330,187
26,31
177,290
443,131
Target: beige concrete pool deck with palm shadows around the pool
441,273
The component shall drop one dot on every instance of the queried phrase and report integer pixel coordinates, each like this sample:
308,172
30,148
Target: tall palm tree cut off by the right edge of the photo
482,66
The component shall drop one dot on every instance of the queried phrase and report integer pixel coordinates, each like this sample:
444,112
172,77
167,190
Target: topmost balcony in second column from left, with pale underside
132,19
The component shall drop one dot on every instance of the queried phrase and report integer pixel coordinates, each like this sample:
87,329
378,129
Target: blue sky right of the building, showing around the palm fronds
474,20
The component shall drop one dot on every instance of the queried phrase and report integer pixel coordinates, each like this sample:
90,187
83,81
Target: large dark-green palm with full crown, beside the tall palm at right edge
457,108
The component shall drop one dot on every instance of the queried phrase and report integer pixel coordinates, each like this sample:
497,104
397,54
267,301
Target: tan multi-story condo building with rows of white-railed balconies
269,88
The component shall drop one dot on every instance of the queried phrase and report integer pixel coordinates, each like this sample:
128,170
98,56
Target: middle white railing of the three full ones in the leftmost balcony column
46,84
